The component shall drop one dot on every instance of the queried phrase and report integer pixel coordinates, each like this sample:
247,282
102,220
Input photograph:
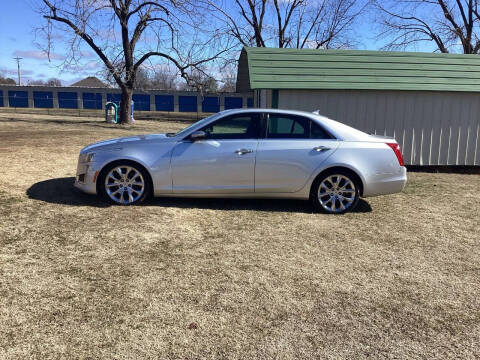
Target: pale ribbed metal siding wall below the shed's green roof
433,128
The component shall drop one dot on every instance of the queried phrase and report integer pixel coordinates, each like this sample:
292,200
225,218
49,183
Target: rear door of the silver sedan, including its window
292,149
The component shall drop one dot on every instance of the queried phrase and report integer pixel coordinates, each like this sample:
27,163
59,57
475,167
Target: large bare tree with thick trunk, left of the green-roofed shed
126,34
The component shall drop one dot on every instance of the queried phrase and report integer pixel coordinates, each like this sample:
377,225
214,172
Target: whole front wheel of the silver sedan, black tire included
124,183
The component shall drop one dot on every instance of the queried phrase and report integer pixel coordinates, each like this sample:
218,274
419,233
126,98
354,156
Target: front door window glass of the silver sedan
242,126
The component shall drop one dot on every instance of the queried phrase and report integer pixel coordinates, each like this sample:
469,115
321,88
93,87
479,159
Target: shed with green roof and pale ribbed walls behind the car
429,102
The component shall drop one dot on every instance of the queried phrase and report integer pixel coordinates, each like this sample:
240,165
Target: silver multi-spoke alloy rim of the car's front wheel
124,184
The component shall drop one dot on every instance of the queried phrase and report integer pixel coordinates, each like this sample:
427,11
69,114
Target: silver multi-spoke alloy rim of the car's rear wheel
336,193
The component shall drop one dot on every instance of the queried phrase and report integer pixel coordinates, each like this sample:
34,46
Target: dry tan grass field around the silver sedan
226,279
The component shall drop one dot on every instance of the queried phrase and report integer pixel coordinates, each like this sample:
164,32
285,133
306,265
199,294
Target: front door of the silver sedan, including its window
223,163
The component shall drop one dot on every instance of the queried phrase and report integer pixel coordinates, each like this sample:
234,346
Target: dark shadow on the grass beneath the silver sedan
61,191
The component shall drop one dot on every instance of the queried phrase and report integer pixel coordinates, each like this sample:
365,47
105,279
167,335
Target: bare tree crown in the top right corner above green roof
452,25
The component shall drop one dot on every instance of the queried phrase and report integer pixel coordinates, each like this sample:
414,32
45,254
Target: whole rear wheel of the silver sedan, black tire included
335,192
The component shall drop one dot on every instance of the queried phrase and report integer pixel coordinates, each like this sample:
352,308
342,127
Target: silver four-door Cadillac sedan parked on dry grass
261,153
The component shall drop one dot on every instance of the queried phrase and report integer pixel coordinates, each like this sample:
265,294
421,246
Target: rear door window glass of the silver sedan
287,127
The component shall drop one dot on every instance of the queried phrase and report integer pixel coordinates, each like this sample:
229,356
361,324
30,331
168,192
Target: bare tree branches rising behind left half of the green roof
290,23
